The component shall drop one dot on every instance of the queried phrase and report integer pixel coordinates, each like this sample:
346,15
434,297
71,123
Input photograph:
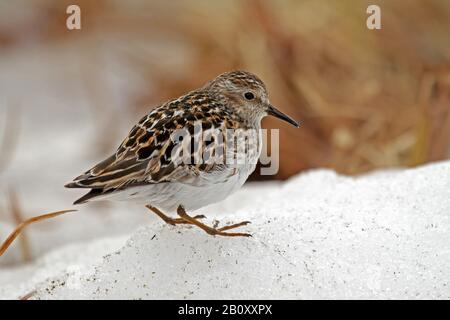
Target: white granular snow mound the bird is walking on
318,235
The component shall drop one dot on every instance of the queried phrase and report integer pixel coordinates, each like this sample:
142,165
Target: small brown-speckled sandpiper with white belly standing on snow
147,166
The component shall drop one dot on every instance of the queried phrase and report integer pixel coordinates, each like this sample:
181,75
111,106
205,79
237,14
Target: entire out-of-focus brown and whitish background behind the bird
367,99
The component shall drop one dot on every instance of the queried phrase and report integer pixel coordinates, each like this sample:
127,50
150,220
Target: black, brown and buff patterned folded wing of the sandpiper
146,154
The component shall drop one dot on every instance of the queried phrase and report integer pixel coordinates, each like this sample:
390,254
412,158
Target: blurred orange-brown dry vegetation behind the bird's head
366,98
